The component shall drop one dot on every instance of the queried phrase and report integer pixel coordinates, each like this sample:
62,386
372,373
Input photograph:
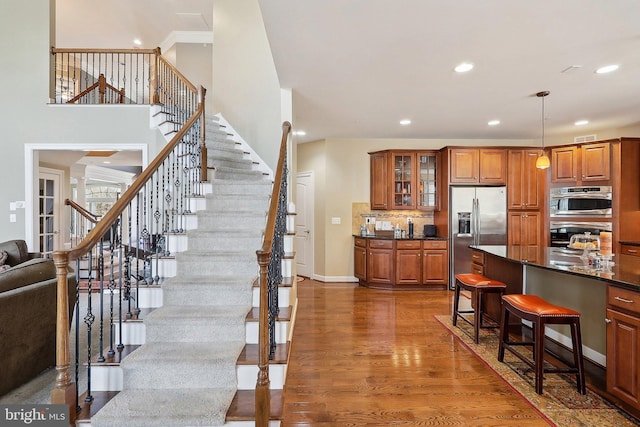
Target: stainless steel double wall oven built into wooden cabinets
578,210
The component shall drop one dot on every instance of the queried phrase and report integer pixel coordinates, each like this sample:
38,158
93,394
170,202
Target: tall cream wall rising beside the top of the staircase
245,84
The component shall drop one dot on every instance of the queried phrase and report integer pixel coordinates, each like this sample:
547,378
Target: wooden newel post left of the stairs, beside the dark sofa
65,389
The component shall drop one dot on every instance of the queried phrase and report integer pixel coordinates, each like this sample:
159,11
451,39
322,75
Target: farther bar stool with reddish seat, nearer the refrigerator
478,285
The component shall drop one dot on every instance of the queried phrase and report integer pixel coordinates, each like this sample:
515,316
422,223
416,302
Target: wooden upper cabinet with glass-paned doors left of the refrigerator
404,179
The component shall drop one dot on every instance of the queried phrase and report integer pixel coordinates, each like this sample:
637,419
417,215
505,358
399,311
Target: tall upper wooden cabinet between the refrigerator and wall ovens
525,183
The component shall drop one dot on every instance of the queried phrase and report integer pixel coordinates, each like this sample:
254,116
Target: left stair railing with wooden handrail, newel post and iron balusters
153,196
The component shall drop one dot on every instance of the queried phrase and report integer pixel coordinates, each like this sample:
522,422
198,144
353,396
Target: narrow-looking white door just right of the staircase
304,224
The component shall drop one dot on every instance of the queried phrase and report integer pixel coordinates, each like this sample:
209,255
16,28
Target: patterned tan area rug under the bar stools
560,401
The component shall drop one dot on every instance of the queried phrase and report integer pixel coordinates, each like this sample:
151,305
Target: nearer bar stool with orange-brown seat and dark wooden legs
541,313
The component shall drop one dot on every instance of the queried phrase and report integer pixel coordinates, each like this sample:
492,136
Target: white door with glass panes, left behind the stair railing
48,211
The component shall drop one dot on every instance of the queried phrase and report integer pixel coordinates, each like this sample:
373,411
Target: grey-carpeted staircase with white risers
197,355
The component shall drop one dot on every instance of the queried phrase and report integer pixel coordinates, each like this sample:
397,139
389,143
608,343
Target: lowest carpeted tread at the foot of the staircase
170,408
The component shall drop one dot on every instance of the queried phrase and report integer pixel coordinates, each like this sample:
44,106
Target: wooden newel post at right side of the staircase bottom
263,394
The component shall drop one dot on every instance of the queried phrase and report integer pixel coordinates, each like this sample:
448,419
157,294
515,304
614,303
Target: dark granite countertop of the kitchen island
625,272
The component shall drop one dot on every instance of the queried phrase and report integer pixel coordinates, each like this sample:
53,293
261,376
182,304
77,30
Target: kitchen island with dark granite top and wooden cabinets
608,300
